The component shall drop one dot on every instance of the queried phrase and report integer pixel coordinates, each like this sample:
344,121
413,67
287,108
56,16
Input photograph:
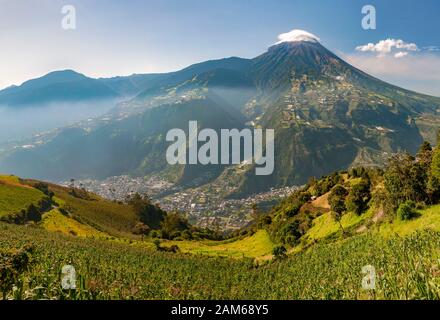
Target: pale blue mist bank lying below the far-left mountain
18,123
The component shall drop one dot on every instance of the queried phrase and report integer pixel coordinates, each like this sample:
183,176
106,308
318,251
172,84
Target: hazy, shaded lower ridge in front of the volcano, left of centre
136,144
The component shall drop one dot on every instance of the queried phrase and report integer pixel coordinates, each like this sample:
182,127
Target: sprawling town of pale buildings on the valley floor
202,209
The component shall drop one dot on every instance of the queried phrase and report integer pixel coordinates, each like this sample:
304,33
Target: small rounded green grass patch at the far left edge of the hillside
14,196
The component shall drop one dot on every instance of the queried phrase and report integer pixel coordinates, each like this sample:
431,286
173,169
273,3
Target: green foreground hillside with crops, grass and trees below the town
323,256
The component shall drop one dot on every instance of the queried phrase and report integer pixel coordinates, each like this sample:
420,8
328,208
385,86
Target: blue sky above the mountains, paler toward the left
125,37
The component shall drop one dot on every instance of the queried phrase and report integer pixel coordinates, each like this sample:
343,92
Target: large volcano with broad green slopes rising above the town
327,116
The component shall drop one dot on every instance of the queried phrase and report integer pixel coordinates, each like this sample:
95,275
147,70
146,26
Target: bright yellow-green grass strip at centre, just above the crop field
255,246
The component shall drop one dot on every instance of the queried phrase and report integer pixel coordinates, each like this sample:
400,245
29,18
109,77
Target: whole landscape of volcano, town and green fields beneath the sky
355,185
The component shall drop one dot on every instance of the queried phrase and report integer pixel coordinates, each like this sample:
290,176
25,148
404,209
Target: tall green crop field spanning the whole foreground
405,267
